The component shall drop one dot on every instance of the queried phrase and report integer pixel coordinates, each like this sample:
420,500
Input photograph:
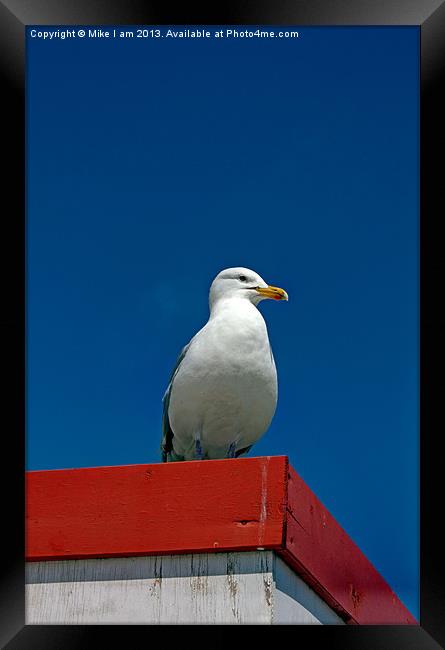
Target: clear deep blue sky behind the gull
154,164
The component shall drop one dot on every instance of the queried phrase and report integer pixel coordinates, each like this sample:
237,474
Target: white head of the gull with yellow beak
239,282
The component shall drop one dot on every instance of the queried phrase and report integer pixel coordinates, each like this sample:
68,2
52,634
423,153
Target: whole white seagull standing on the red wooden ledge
223,390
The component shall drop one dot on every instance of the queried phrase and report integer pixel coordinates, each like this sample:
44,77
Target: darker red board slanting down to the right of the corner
331,563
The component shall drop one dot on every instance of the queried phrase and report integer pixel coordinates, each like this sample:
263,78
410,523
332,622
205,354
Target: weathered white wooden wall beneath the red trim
225,588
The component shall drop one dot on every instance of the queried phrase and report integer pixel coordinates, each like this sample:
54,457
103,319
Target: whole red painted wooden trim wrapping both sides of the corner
206,506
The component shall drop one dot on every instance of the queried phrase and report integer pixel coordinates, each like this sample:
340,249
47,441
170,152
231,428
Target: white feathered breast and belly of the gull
227,383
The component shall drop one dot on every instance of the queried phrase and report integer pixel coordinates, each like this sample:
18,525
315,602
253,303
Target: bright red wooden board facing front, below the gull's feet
152,509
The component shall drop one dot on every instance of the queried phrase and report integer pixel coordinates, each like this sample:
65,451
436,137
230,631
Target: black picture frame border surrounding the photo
429,16
